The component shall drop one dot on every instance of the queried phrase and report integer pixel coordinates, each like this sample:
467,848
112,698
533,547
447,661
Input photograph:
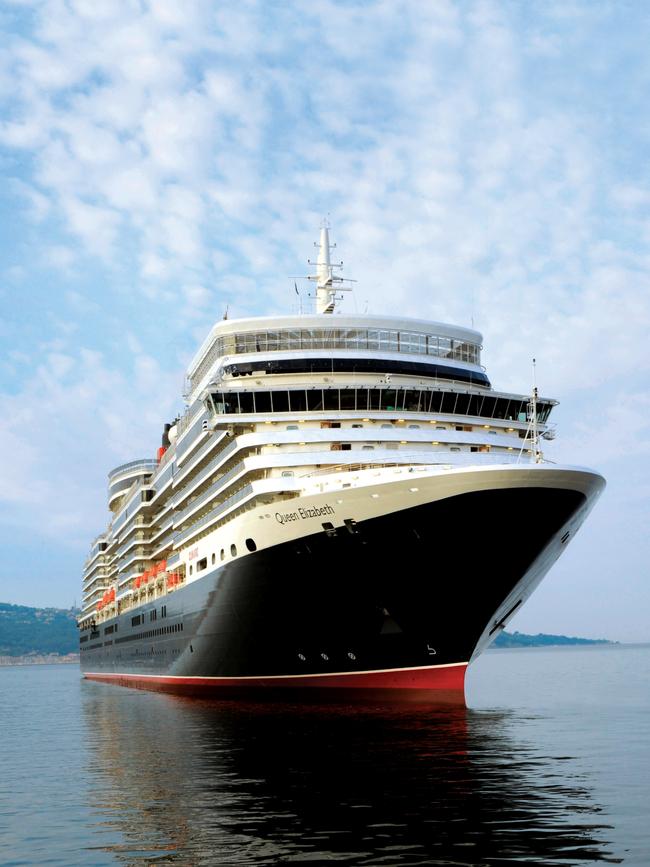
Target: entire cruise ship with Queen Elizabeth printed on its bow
347,507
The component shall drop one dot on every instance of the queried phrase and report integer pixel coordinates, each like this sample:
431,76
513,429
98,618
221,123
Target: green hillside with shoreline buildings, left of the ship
26,630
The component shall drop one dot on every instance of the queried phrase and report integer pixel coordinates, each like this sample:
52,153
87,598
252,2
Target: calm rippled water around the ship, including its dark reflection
549,765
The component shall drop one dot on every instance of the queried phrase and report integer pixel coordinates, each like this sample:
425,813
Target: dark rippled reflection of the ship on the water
189,782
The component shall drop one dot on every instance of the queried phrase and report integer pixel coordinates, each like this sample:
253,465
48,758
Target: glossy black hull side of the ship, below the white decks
408,591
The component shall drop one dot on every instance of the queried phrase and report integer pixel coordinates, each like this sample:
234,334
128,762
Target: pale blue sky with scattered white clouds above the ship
480,163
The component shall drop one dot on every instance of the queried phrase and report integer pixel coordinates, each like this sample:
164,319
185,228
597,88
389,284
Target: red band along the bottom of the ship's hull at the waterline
443,683
